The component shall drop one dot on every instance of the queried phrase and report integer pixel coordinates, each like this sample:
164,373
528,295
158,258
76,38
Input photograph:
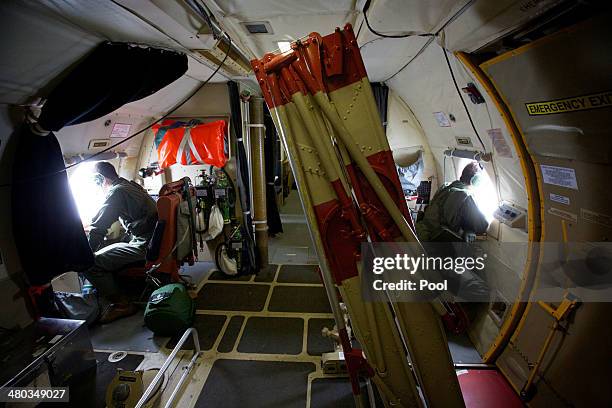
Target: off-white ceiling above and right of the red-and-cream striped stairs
463,25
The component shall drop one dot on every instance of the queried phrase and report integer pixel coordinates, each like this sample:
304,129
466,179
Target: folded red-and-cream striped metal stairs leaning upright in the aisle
322,104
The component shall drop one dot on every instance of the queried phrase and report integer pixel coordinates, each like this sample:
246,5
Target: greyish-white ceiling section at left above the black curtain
42,39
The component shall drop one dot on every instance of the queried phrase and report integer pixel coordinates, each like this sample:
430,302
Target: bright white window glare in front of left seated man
88,196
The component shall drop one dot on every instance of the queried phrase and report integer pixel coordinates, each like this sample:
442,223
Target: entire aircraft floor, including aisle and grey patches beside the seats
260,335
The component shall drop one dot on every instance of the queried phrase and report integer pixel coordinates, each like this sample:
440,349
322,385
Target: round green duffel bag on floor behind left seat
170,310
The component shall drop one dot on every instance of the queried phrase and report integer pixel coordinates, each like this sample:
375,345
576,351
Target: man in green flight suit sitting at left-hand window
129,203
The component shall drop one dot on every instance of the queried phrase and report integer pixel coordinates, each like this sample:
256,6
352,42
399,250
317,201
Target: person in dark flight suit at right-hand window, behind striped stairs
453,216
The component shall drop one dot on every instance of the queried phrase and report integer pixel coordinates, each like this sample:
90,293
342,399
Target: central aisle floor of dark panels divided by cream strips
267,354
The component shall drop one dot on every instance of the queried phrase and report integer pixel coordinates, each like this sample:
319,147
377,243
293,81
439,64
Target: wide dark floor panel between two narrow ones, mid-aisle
272,335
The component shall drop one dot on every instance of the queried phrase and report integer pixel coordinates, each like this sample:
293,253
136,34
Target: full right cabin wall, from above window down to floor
426,86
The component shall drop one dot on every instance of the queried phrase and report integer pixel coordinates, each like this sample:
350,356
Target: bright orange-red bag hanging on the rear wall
190,143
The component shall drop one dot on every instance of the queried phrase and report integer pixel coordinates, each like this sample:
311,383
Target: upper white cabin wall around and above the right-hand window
427,87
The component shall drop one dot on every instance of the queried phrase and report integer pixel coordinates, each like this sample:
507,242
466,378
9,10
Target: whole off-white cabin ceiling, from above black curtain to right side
42,39
